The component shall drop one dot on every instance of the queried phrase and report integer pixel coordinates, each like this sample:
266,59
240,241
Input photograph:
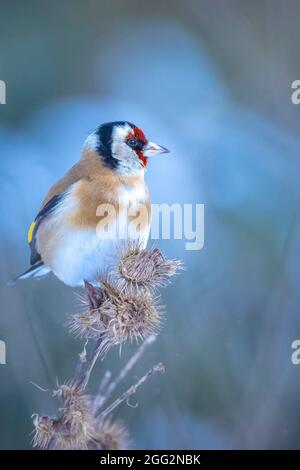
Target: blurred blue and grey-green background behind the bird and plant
211,80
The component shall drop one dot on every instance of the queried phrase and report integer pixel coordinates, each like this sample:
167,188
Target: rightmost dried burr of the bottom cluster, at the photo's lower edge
110,435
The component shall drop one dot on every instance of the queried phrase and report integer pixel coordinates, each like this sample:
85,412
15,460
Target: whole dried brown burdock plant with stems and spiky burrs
124,308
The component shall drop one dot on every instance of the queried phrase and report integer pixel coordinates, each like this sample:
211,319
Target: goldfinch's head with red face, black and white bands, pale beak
123,146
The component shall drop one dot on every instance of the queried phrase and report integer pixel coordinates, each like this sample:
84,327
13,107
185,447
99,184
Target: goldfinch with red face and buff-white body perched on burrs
86,213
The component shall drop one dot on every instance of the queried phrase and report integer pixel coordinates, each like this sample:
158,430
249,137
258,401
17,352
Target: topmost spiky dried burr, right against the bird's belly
146,268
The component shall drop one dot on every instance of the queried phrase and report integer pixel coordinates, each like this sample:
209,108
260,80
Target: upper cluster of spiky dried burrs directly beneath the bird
123,308
